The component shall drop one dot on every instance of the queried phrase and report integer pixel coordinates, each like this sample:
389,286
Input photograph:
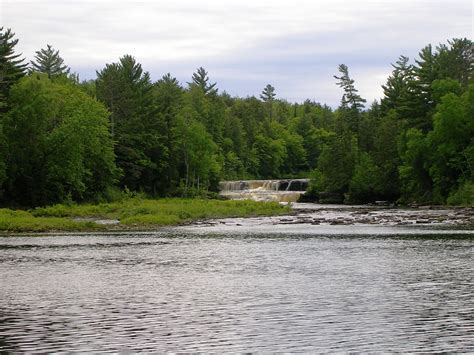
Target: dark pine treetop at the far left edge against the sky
12,67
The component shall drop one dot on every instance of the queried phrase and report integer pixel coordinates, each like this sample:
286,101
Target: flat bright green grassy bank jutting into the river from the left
134,213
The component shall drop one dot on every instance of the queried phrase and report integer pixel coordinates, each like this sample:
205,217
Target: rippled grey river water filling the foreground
295,293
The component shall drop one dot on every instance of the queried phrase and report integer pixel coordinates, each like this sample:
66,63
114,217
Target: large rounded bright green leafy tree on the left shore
59,144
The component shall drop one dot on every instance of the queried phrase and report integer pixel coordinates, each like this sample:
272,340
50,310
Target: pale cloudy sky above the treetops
296,46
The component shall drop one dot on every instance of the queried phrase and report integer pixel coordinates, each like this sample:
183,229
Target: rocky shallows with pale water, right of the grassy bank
328,219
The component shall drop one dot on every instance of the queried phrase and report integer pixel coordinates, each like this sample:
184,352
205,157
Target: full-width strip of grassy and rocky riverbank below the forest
147,214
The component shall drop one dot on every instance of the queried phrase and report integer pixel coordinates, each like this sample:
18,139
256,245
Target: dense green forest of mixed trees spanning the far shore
66,140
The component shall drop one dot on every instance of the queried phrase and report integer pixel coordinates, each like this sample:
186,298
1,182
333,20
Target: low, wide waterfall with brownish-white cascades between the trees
288,190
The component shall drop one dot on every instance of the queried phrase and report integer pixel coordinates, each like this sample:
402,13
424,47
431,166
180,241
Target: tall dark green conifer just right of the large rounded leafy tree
126,90
